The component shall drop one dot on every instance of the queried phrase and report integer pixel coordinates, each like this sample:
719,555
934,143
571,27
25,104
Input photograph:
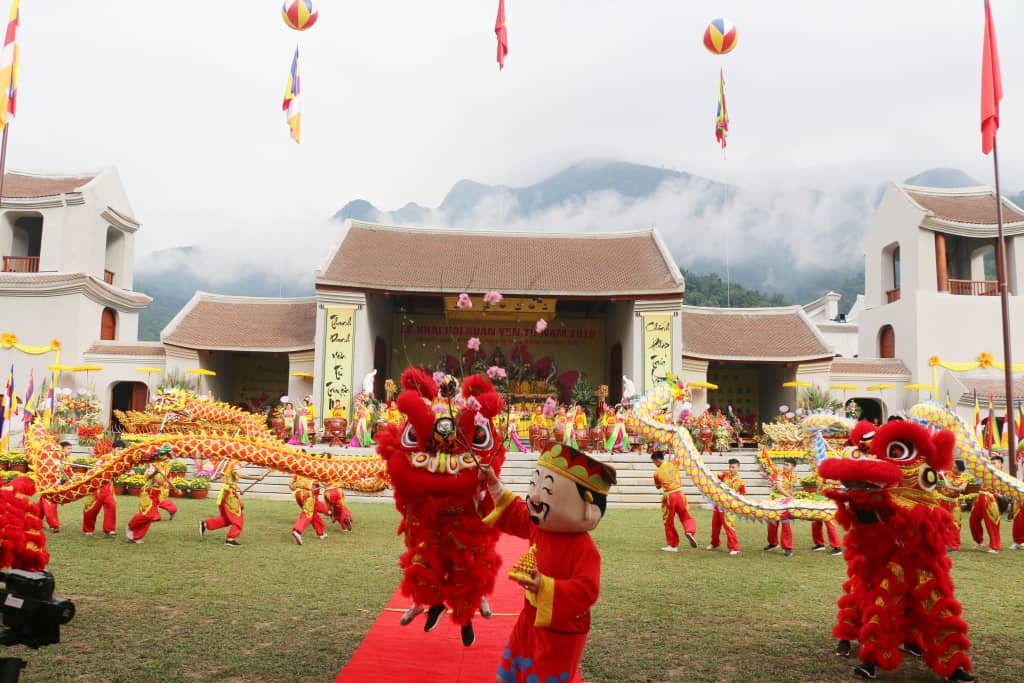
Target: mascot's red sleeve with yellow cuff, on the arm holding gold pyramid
562,604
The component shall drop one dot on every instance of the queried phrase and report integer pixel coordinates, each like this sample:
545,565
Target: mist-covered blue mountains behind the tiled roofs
786,245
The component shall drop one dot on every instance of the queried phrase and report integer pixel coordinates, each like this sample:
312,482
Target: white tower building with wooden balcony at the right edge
931,291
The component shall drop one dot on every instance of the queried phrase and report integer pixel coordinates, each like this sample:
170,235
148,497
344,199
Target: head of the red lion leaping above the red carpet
448,431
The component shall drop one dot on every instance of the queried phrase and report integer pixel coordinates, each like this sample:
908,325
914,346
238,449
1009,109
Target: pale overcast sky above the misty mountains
401,99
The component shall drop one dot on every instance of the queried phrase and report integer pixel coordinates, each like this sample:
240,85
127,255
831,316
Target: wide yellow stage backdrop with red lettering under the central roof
571,345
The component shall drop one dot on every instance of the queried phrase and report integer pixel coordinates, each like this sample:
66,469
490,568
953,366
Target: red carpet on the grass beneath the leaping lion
395,653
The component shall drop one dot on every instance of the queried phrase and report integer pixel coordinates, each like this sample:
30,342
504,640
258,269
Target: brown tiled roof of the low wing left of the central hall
215,322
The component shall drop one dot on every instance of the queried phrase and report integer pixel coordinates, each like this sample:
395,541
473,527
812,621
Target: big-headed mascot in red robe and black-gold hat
567,500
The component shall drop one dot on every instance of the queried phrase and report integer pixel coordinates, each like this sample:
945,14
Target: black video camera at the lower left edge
31,616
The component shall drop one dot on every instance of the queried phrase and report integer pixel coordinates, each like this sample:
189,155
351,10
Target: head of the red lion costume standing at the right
903,455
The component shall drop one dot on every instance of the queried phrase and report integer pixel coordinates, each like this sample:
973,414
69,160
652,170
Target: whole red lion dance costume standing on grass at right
900,595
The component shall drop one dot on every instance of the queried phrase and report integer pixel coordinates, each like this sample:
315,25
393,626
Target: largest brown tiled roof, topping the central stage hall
379,258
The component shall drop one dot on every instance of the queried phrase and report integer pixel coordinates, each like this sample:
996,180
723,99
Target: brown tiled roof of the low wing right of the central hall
754,334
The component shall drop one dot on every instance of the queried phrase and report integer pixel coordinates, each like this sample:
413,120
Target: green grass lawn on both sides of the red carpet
179,610
